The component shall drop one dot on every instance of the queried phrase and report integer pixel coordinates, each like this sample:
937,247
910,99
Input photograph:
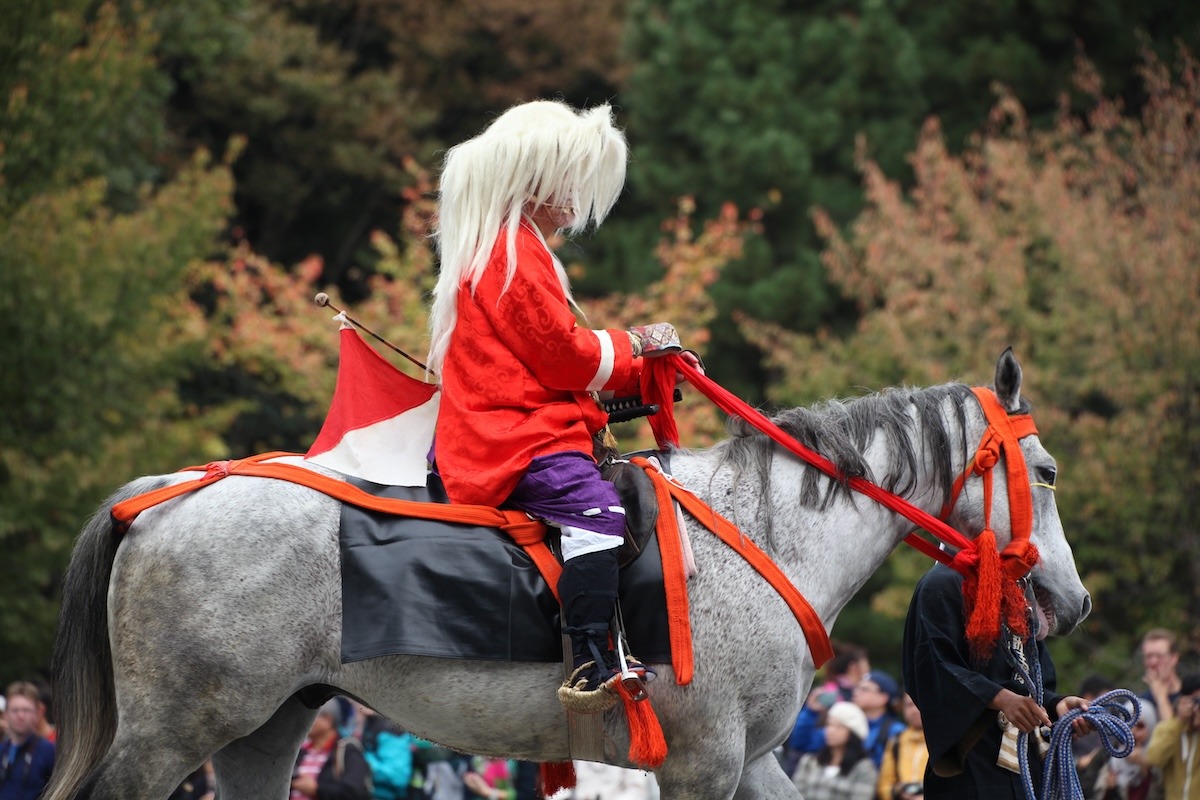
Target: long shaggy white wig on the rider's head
535,154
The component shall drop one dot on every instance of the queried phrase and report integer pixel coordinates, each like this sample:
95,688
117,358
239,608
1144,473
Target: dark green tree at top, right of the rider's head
761,105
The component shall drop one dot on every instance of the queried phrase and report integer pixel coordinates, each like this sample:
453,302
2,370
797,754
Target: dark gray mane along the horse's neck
841,430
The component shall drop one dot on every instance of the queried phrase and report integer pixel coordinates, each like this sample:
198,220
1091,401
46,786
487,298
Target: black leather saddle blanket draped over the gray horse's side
422,588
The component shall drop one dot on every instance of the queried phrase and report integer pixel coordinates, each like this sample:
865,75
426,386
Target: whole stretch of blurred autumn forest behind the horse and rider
827,199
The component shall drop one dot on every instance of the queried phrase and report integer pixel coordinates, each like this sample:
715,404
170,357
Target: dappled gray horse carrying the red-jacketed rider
193,635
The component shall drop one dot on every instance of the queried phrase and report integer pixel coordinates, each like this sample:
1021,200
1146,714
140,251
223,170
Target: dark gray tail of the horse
82,663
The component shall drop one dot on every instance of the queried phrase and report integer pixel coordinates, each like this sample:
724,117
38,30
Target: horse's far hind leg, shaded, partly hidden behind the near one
260,765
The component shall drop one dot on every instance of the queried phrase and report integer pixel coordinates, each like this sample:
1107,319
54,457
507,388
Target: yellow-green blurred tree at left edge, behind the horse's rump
97,332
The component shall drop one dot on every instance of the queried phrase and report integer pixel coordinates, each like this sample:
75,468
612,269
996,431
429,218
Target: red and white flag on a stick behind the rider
381,424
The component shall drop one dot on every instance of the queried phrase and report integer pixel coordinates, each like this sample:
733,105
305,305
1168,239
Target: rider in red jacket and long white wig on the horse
519,376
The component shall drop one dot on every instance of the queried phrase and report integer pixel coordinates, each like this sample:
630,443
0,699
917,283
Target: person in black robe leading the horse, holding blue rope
961,699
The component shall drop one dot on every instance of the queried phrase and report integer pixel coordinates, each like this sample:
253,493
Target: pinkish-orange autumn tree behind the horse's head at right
1077,246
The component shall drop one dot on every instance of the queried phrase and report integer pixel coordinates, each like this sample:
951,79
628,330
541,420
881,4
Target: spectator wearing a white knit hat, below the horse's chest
842,769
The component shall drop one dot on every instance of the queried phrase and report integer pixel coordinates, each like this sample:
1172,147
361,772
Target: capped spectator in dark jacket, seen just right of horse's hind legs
329,767
